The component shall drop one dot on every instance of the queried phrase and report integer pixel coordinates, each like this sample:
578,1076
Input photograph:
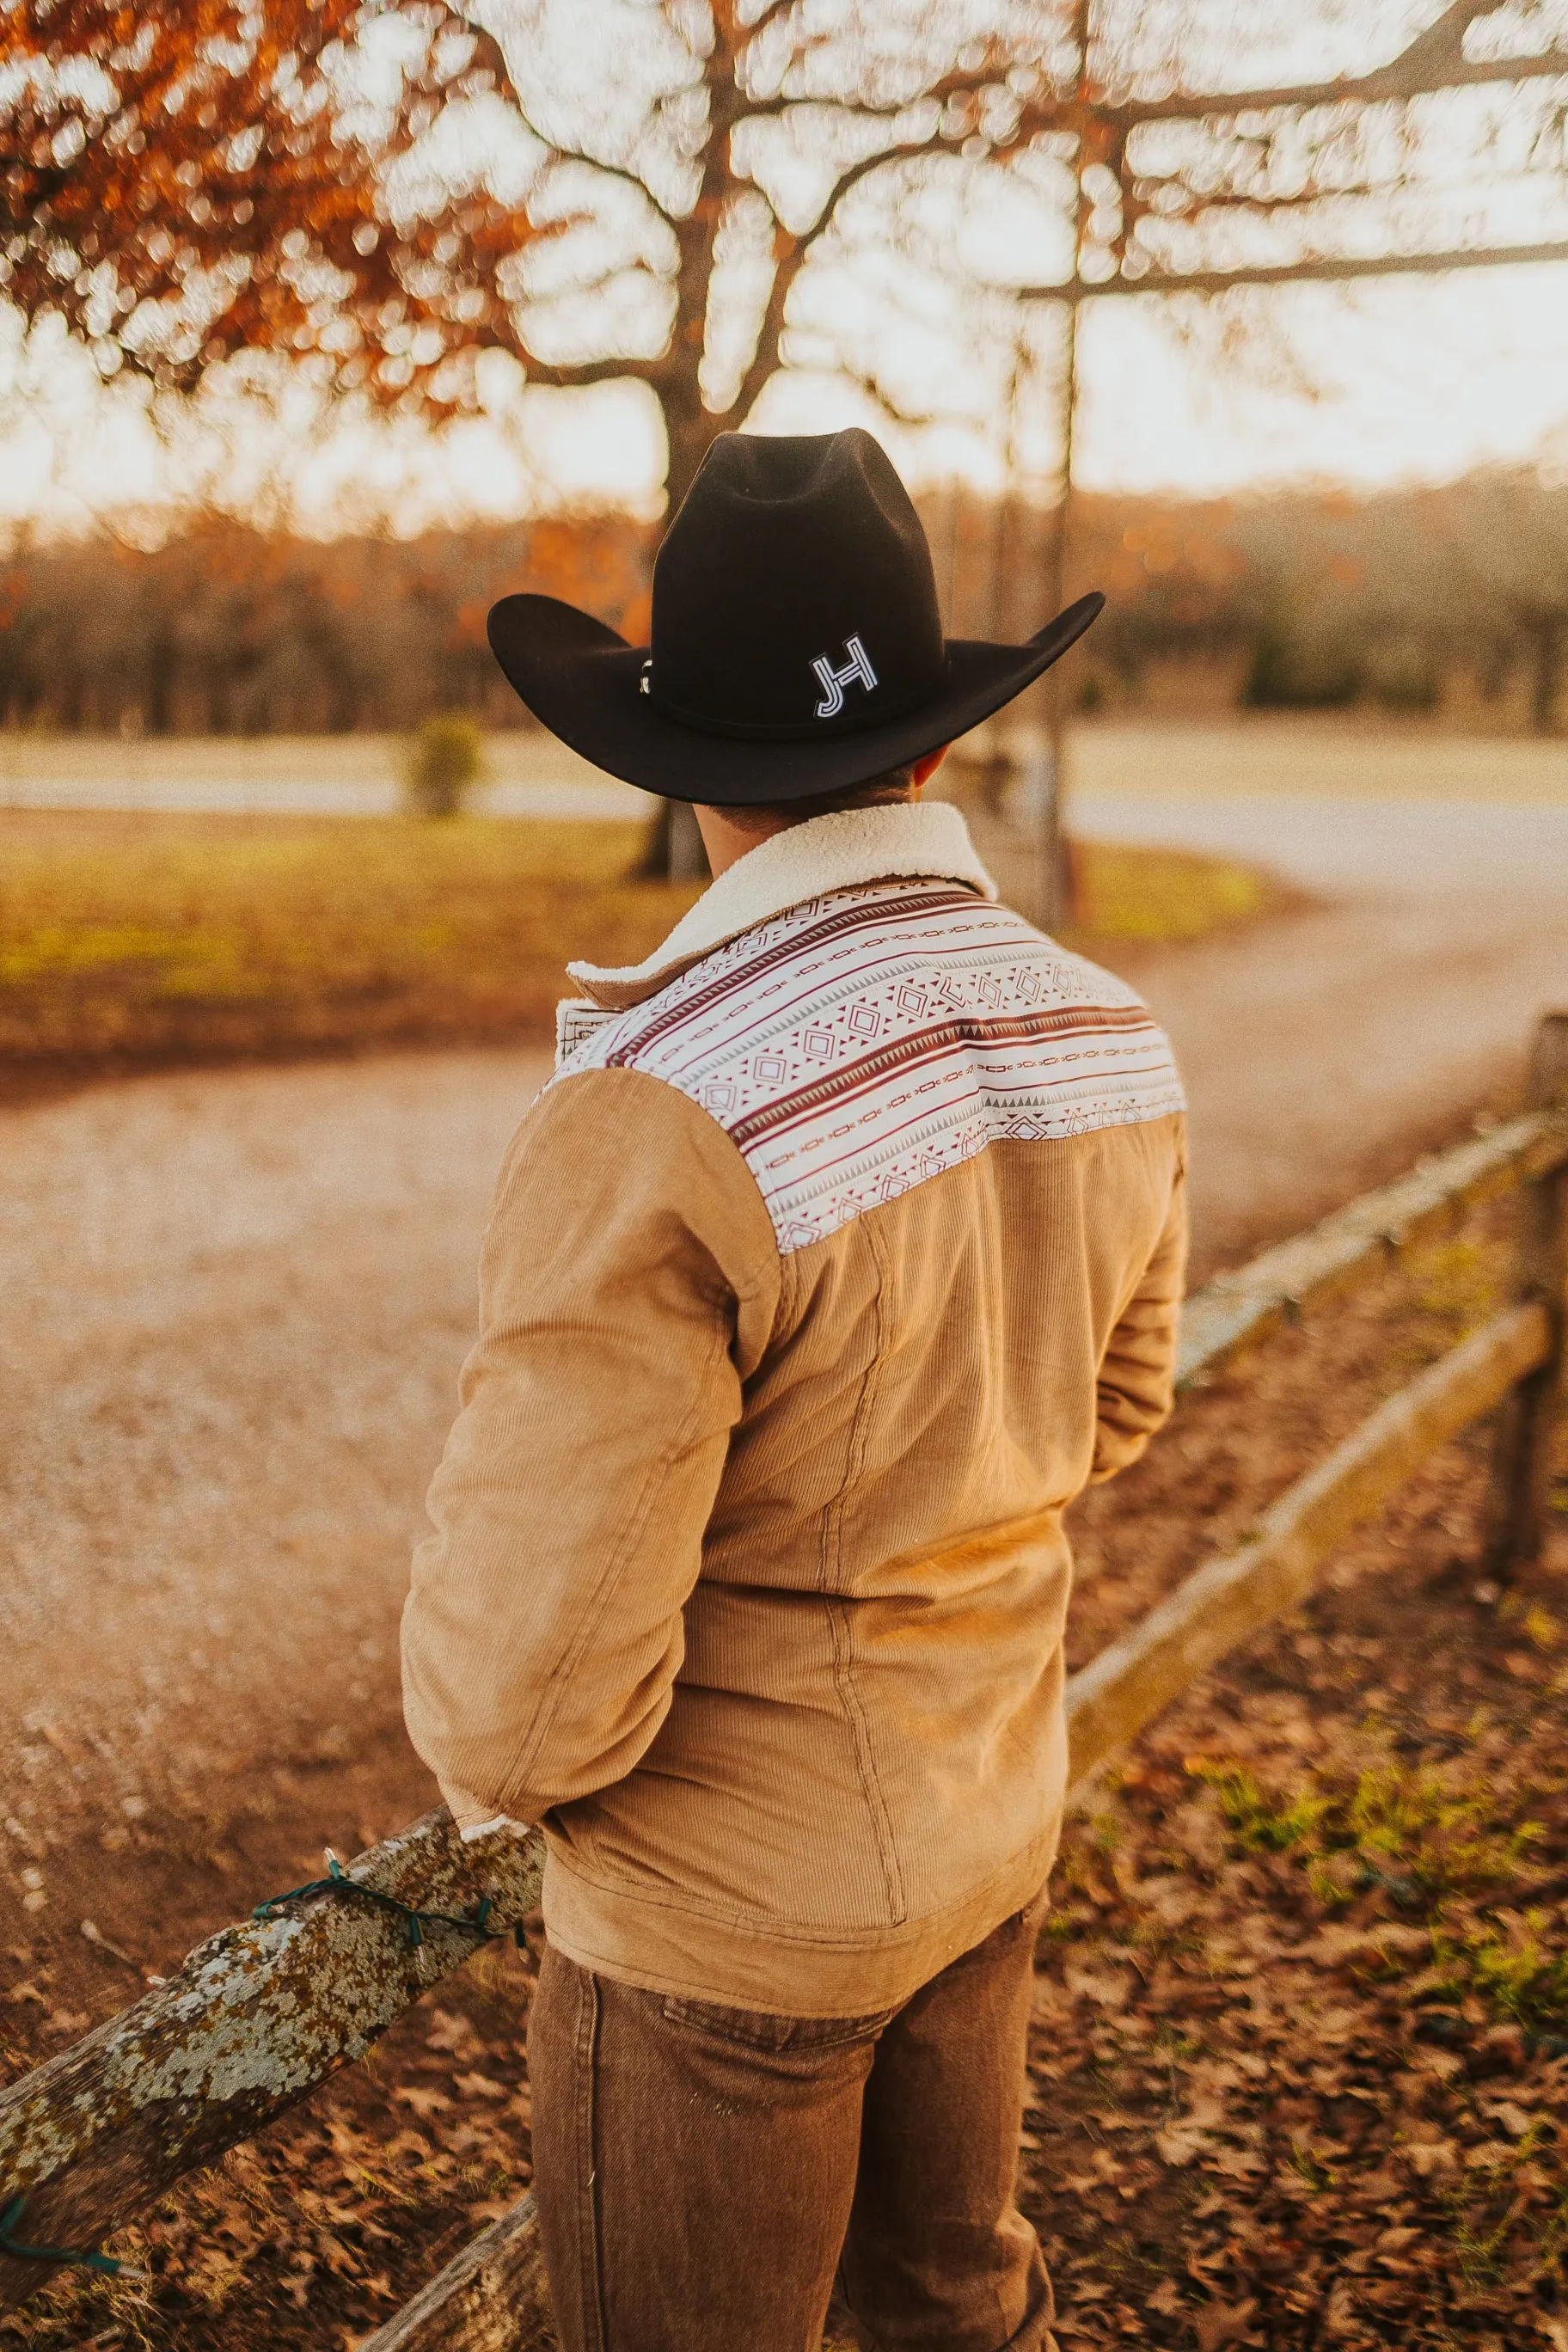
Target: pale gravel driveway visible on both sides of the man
232,1307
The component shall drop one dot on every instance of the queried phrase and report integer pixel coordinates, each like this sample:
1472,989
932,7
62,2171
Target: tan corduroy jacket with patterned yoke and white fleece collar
843,1250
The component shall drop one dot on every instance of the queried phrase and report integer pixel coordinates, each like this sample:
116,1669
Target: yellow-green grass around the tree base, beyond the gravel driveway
133,937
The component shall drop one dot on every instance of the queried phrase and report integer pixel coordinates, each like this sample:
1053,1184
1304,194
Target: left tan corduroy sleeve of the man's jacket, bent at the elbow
626,1288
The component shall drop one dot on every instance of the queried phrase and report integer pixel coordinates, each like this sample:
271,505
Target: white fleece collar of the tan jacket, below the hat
805,862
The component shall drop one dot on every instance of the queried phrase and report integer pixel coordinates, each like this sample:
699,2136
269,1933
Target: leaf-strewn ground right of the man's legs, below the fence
1301,2040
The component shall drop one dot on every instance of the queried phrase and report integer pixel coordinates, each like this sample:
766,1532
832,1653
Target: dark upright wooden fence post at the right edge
1522,1464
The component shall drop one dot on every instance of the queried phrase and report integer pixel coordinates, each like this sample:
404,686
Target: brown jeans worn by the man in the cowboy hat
704,2172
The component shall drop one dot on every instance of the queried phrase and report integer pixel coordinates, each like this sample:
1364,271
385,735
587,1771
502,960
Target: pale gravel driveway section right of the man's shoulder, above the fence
1332,1048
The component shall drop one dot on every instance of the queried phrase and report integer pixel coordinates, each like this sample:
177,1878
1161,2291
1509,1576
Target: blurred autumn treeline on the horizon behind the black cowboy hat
1440,601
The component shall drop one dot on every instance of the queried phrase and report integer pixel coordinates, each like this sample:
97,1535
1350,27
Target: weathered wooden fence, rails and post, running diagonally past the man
269,2010
